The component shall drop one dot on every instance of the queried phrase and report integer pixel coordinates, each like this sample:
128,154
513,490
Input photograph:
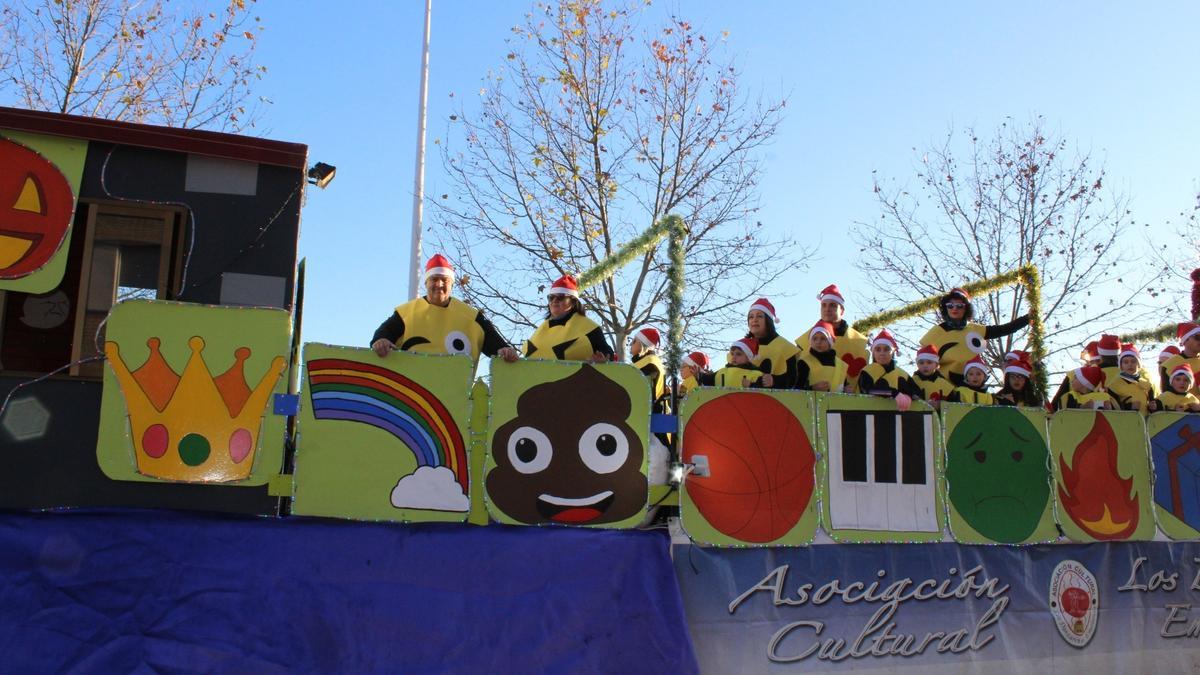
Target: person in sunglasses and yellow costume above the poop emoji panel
567,333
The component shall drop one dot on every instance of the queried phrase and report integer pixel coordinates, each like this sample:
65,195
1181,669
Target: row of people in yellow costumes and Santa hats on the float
829,357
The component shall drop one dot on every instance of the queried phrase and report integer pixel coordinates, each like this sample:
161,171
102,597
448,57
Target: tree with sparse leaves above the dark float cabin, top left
133,61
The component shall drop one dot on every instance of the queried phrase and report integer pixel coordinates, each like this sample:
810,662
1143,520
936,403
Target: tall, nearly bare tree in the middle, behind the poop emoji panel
587,136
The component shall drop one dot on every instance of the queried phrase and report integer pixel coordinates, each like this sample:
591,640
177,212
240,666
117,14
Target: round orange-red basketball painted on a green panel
760,464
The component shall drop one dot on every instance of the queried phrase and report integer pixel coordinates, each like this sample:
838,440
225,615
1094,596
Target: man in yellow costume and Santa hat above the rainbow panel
439,324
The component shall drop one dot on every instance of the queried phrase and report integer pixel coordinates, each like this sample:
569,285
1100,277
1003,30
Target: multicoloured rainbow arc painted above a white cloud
369,395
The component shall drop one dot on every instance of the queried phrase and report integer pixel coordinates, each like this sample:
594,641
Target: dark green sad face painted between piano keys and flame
997,467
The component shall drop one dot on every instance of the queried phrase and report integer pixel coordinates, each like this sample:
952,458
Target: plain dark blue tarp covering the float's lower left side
153,592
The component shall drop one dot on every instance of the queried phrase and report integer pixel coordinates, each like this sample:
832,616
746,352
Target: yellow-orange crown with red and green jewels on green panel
194,428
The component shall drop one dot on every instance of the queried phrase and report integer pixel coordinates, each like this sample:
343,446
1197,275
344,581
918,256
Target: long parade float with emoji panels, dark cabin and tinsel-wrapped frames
412,517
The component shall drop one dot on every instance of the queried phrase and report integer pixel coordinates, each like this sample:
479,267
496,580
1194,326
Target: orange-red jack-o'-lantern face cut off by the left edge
37,204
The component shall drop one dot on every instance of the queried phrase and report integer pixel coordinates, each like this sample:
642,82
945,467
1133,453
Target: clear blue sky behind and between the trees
867,82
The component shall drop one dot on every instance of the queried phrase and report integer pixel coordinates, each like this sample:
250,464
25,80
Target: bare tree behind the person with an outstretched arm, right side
1015,199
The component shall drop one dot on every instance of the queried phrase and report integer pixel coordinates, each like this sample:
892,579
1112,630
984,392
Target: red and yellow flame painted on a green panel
1094,493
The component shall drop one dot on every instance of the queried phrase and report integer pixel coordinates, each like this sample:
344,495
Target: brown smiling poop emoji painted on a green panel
569,457
